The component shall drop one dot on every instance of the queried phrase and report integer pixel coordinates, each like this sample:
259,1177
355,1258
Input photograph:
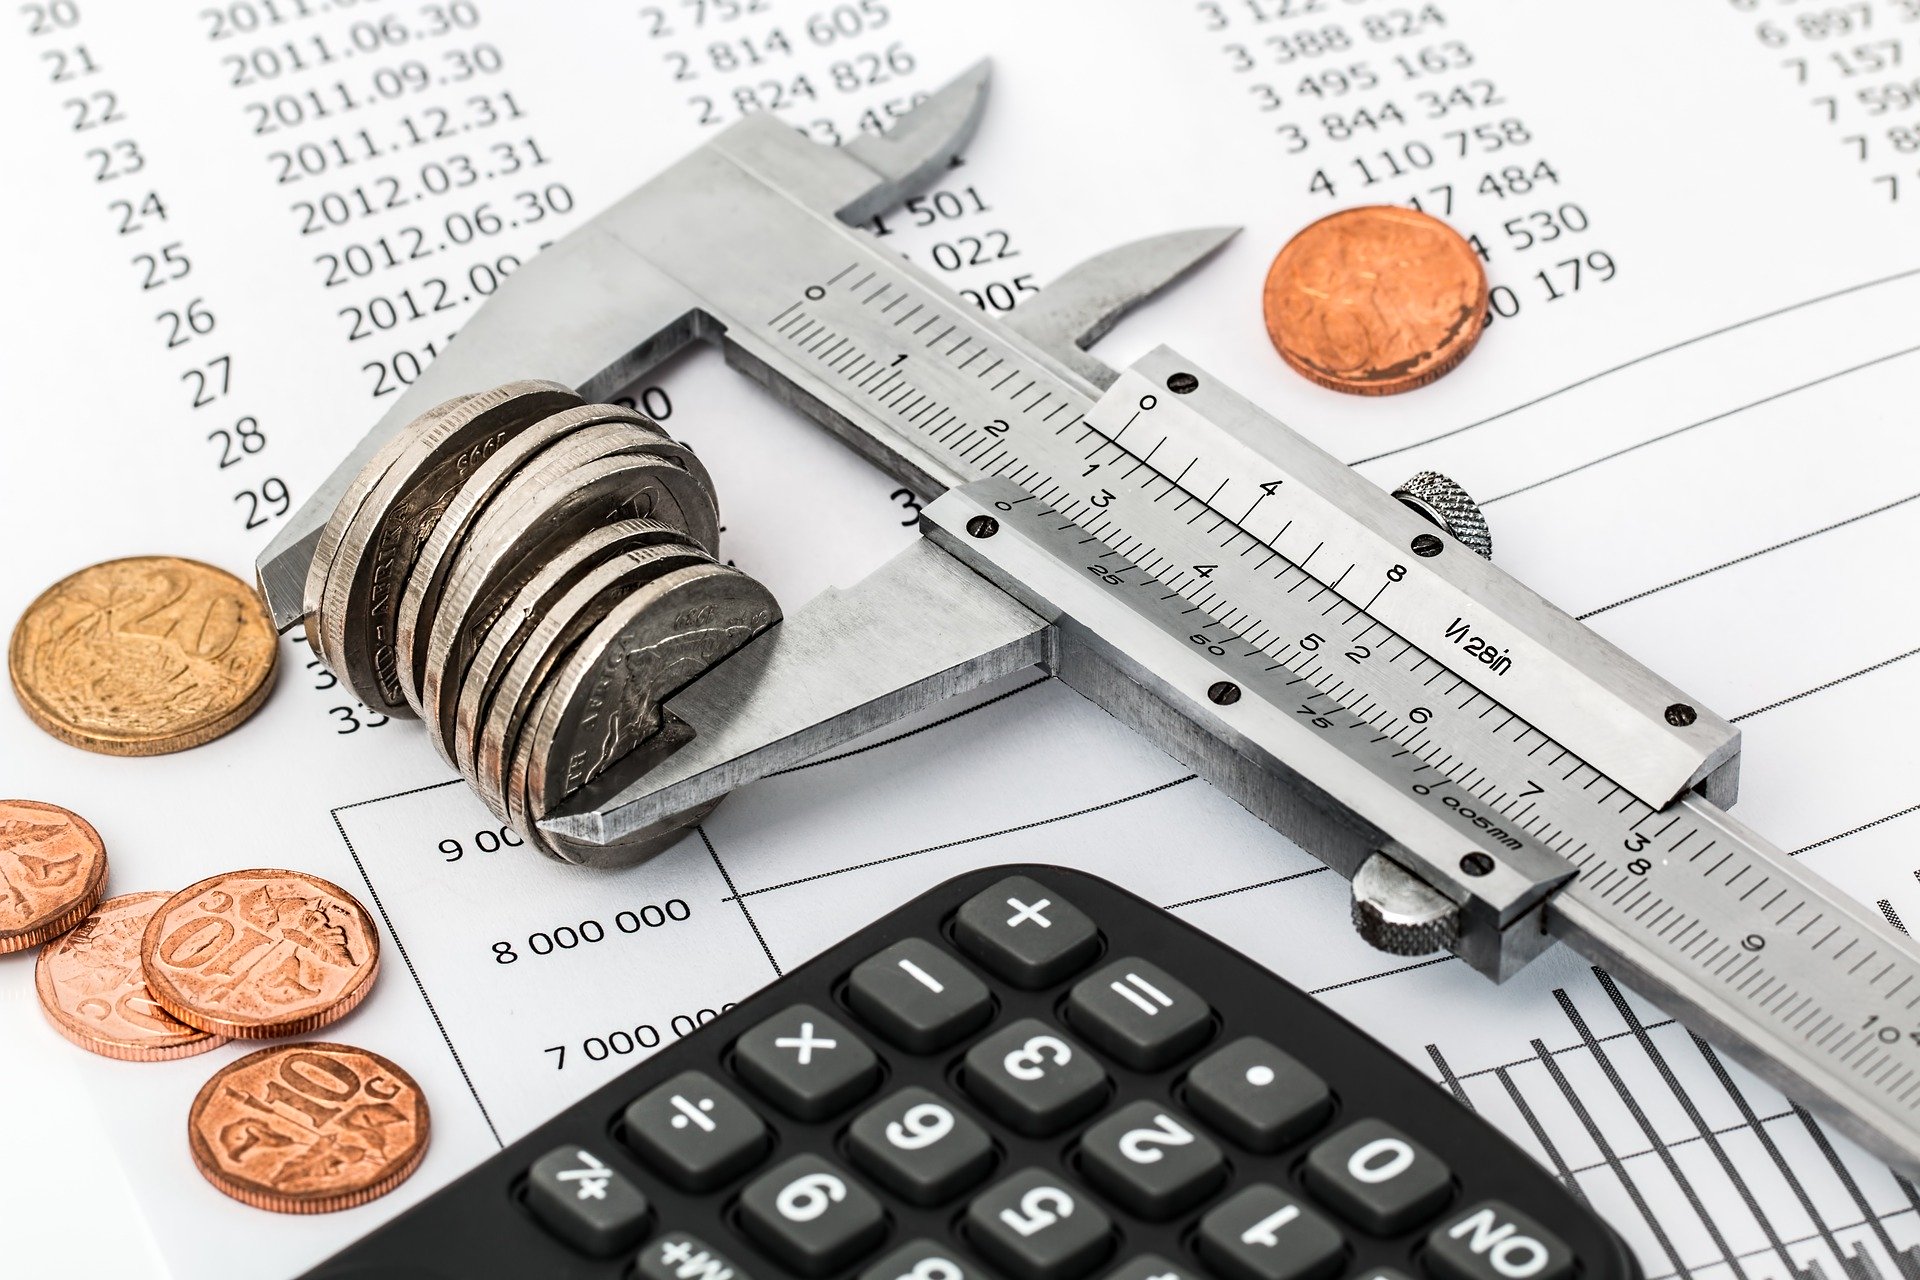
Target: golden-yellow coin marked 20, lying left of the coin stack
143,657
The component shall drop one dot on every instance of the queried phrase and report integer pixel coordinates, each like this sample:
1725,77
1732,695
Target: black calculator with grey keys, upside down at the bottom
1026,1074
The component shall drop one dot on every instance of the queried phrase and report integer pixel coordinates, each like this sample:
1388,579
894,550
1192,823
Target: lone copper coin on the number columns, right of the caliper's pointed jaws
1376,300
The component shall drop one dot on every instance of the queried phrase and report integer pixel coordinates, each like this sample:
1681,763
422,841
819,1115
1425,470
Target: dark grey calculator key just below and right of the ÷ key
811,1216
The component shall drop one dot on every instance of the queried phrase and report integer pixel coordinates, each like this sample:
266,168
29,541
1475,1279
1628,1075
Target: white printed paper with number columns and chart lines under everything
233,229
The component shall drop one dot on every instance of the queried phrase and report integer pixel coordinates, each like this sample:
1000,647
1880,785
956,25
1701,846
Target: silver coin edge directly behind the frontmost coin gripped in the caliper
554,636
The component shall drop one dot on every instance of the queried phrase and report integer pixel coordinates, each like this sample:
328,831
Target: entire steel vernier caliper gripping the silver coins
1489,772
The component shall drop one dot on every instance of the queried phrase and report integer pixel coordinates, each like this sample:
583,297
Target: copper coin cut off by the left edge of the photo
53,872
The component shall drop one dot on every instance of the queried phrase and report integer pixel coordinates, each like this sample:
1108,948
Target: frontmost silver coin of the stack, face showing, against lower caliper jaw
606,698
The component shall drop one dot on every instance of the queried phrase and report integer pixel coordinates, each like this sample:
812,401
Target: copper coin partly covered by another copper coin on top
95,991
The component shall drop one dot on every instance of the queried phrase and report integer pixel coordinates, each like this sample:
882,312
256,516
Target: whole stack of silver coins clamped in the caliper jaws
531,577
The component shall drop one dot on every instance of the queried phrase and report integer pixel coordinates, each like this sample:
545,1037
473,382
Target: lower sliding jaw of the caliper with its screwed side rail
996,588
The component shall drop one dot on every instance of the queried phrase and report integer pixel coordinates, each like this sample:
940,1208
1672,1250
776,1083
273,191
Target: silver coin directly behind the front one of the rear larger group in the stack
423,588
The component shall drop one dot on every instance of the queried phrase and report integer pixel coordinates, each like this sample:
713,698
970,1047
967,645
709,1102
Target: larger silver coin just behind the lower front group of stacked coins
596,477
